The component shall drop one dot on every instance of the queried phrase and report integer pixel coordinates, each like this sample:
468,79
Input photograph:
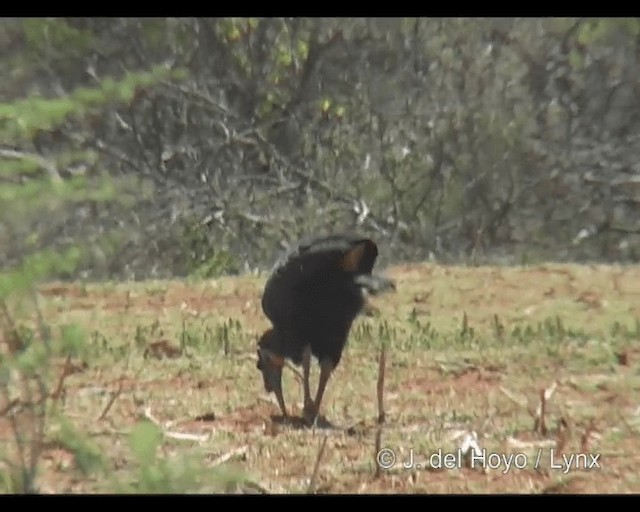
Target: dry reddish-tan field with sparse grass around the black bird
190,415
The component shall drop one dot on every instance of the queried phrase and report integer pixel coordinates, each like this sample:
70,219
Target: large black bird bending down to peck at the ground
312,297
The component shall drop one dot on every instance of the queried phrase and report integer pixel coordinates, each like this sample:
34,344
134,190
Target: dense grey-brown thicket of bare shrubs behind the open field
503,140
